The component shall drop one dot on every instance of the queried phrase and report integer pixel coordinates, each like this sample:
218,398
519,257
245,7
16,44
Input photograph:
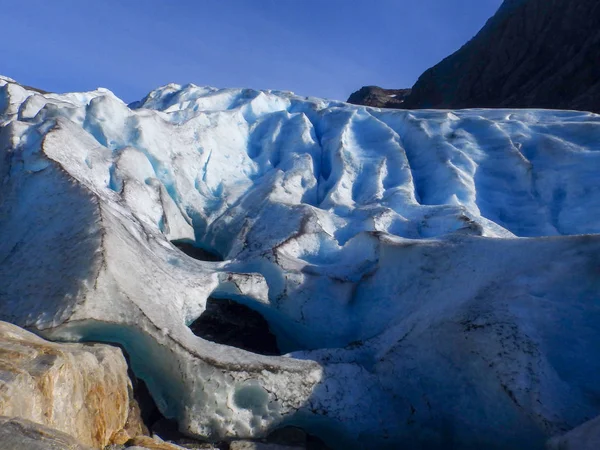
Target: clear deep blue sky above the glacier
324,48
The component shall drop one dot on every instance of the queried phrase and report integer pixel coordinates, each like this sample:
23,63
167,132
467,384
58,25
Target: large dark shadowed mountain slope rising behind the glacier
530,54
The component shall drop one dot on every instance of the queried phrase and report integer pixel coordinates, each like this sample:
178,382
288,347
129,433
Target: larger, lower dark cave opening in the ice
228,322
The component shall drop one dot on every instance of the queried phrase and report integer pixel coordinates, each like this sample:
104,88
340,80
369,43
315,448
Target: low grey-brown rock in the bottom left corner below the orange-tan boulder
21,434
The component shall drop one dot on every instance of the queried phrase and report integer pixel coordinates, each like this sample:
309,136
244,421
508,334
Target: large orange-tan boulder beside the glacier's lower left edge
78,389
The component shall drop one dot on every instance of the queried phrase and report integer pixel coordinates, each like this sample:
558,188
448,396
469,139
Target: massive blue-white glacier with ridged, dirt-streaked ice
432,277
